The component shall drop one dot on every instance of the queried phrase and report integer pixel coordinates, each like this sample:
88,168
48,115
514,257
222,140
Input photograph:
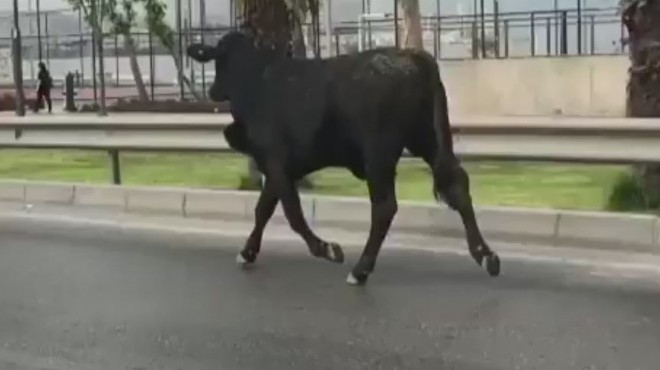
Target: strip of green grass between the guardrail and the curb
562,186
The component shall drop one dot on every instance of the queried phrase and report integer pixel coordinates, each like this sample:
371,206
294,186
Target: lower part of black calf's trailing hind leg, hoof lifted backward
453,184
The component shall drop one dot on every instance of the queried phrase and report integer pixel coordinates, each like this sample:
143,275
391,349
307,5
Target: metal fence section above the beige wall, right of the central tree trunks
571,31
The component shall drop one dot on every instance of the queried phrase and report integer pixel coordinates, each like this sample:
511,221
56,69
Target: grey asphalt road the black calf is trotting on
100,300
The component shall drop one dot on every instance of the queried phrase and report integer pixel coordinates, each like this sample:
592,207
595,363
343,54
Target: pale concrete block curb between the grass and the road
549,227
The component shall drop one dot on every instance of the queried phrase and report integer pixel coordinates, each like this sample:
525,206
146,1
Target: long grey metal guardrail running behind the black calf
580,140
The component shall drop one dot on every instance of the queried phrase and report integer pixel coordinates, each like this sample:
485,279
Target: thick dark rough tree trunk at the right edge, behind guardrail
642,20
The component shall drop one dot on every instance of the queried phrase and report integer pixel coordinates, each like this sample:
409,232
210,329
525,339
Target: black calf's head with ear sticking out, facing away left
235,57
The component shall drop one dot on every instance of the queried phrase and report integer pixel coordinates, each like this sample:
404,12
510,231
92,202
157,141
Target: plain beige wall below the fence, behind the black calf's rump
584,86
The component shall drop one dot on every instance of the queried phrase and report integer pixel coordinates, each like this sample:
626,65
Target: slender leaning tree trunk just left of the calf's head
155,19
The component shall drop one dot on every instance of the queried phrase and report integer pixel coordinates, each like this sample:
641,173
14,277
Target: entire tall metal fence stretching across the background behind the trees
63,40
